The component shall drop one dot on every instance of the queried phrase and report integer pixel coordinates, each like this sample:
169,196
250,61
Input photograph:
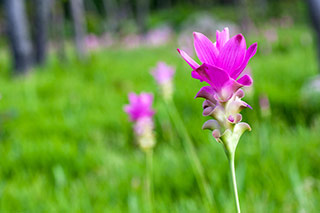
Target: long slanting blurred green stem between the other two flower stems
193,157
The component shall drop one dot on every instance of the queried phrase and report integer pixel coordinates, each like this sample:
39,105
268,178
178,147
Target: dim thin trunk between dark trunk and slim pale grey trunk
58,29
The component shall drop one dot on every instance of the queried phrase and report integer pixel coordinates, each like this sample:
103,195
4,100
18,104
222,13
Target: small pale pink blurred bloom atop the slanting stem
163,73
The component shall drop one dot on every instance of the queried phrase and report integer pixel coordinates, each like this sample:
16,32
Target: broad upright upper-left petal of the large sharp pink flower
206,51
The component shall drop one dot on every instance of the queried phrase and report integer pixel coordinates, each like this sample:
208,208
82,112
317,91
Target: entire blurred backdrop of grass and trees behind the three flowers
66,67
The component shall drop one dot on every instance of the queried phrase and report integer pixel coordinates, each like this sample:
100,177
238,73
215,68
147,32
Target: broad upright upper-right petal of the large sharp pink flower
232,54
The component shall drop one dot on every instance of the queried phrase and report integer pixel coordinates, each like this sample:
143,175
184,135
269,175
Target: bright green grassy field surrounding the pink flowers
67,146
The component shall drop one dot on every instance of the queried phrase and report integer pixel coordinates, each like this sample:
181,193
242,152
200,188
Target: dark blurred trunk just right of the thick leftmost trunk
41,23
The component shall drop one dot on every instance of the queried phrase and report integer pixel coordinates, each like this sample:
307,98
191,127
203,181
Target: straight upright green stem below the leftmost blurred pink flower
149,191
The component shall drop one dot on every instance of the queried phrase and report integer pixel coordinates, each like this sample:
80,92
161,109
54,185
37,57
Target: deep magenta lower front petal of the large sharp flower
214,76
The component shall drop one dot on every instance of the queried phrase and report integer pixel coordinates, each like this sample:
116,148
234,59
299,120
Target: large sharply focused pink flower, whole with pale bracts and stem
222,64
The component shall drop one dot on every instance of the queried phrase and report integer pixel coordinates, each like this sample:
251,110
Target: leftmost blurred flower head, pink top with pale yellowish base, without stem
141,114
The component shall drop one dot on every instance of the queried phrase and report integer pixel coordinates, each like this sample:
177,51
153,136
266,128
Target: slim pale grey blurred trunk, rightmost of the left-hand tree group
78,15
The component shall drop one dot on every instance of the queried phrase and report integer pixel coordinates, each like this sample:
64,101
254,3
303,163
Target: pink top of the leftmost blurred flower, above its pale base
139,106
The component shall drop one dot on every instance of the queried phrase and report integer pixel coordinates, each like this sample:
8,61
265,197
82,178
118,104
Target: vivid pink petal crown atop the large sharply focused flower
222,62
